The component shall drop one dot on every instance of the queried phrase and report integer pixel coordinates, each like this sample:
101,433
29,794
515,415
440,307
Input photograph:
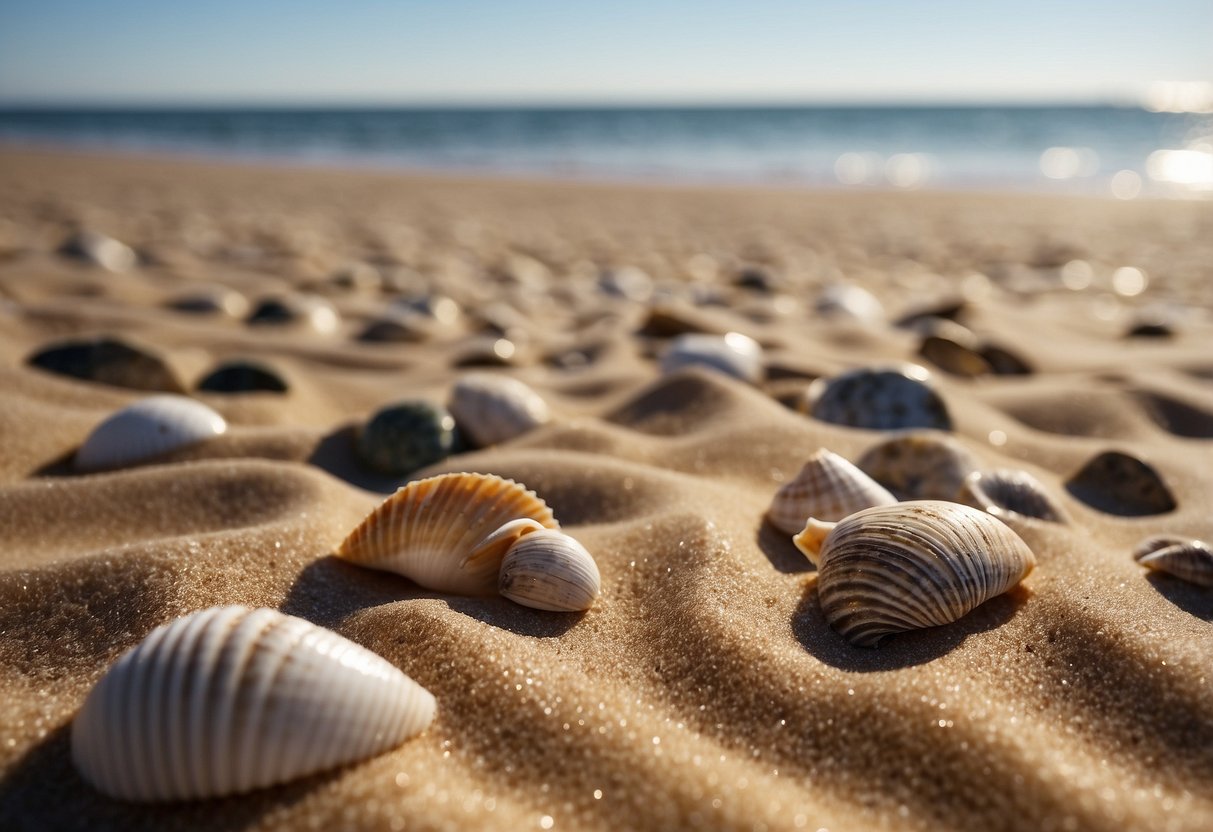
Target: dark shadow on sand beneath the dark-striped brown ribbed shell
907,649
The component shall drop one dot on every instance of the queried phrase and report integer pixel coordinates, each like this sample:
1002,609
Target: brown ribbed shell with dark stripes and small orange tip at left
890,569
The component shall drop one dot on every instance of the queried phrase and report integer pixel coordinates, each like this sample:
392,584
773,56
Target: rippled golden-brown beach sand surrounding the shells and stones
705,688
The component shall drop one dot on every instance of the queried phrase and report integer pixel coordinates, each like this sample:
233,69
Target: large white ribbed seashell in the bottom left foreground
230,699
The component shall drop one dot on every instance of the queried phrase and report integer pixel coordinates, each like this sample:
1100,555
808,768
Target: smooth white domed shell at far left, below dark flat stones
146,430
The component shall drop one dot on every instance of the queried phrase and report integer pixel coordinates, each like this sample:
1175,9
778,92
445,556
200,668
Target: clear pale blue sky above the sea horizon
551,52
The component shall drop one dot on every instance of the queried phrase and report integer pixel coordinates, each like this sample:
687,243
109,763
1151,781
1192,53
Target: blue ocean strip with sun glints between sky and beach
1112,151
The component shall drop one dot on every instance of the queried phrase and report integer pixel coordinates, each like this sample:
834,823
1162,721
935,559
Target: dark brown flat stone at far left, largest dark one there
109,361
